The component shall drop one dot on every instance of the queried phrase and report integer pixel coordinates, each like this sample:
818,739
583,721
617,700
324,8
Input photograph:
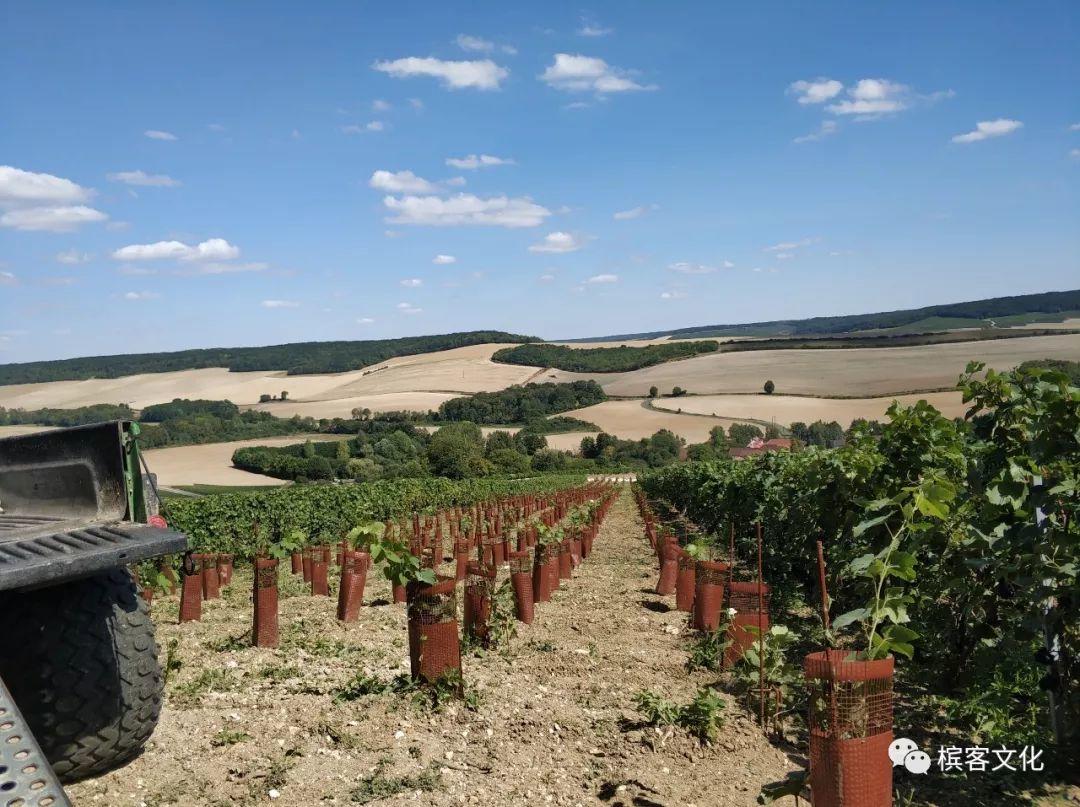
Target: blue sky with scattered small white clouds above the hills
208,174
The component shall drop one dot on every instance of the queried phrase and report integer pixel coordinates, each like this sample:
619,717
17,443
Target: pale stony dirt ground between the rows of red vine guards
556,722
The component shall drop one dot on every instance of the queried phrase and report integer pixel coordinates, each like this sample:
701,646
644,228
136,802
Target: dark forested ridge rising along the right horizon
977,312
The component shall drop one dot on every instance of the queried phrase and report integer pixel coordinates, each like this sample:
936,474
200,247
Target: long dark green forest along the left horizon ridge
303,358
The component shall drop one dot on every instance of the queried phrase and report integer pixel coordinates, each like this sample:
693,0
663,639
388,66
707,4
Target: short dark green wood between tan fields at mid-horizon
602,360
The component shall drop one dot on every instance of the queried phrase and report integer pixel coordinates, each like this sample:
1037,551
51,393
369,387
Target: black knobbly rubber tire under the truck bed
82,664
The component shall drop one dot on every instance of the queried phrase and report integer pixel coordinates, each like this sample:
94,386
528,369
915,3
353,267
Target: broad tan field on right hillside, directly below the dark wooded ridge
838,372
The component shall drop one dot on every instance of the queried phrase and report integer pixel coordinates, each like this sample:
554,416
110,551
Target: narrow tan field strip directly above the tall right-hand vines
787,410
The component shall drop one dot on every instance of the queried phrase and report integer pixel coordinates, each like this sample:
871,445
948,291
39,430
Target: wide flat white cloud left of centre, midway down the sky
466,209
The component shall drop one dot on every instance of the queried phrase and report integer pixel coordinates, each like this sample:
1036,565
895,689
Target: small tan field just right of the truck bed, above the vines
212,464
